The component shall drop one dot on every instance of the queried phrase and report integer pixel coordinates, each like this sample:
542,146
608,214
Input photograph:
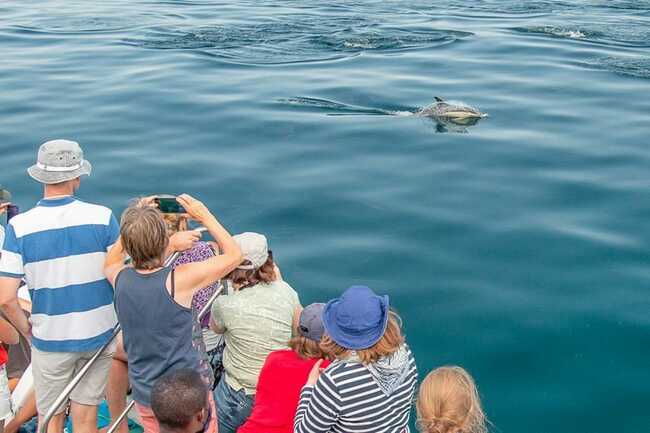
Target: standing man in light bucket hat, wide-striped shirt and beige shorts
58,248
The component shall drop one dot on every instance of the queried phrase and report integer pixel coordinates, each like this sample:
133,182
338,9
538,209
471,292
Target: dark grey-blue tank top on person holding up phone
157,331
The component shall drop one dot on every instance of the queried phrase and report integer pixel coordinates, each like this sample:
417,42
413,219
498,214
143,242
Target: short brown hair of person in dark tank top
144,236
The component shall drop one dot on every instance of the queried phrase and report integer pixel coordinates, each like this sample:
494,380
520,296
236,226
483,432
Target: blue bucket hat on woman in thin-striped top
358,319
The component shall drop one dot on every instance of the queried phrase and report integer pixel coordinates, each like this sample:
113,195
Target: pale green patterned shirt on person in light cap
257,320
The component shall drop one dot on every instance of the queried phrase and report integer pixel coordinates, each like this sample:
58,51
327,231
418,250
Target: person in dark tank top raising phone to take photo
153,302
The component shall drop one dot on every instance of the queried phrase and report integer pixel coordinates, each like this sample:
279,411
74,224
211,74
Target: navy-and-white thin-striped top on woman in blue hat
346,399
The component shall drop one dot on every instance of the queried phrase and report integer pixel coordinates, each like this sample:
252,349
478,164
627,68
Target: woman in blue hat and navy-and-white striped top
371,385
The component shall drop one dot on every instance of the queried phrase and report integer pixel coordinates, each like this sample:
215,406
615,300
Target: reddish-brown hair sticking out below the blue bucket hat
388,344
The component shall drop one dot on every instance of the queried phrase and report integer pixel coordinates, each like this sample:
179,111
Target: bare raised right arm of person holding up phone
193,276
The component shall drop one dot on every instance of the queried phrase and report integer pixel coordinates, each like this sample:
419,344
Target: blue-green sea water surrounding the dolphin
516,247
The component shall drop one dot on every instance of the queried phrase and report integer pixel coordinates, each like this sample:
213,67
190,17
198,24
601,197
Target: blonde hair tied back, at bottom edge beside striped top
448,402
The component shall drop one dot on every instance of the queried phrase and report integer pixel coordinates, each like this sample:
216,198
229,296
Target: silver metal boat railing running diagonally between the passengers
63,397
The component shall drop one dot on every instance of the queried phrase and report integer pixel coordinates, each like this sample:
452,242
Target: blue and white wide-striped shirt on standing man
59,248
